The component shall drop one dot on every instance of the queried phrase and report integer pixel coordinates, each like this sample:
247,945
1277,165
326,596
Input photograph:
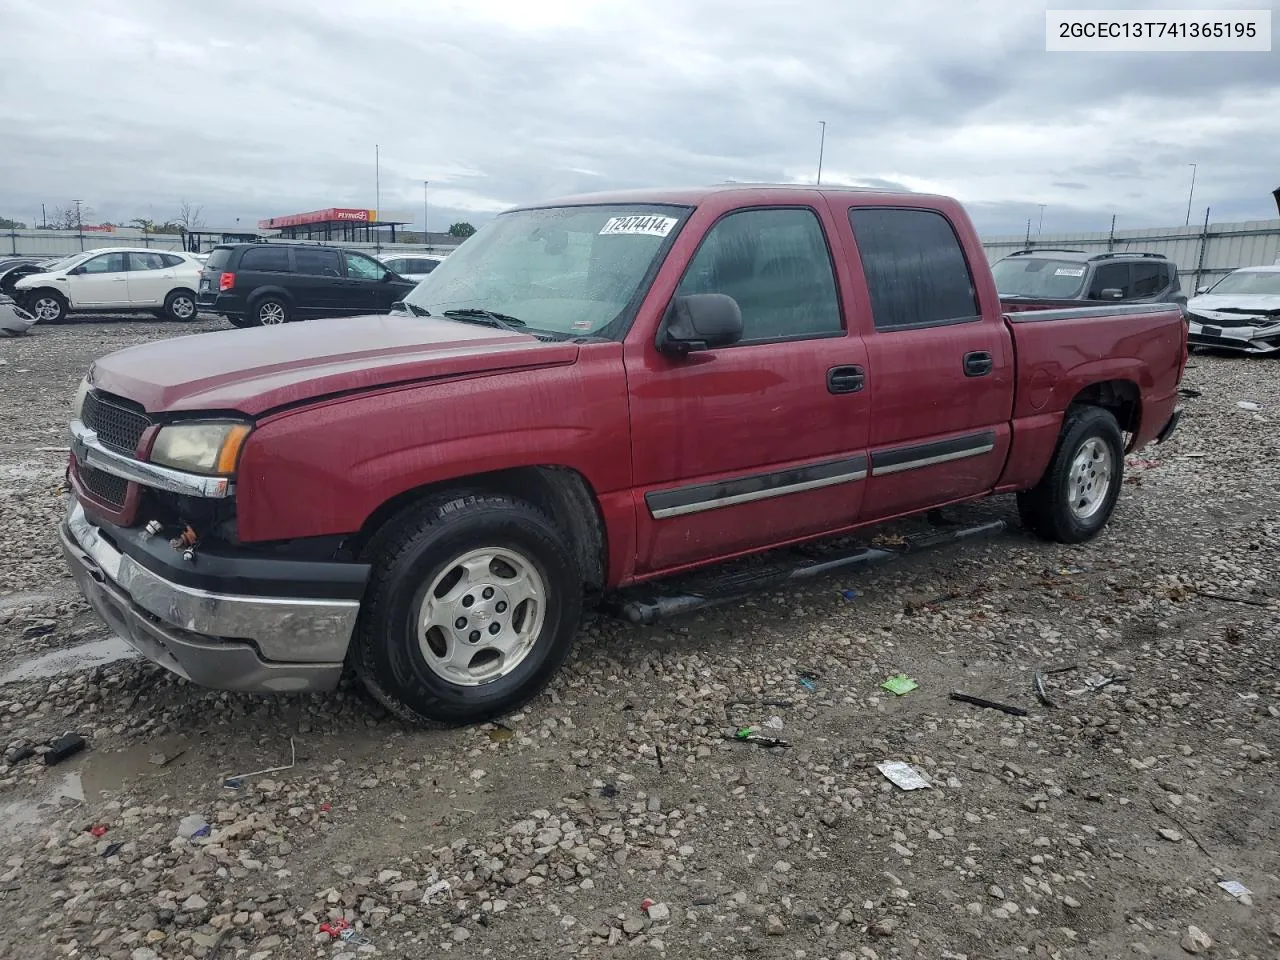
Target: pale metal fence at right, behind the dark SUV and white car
1204,254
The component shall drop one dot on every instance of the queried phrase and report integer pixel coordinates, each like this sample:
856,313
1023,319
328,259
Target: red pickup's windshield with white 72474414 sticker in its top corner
564,271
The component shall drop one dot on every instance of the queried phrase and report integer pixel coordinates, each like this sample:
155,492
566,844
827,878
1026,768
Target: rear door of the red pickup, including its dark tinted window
940,374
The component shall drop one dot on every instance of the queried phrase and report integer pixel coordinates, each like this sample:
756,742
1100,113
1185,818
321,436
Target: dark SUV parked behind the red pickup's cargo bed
1044,278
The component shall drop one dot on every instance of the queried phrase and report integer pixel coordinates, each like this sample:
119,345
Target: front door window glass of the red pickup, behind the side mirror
776,266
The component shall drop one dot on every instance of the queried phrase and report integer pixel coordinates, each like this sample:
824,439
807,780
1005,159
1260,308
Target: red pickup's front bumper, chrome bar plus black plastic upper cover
220,623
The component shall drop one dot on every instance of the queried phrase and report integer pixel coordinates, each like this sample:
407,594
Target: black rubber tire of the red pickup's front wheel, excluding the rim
418,548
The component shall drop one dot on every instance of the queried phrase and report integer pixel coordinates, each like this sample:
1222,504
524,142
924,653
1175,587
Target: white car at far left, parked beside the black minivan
115,280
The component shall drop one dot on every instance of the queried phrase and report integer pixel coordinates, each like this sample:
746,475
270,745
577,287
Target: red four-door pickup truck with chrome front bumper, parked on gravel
588,395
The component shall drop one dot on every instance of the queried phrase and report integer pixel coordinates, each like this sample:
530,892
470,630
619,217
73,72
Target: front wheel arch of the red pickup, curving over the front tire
560,492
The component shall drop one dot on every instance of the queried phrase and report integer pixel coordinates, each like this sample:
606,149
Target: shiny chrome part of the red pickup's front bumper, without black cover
222,641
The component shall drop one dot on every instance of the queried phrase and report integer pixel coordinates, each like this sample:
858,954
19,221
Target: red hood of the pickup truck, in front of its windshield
259,369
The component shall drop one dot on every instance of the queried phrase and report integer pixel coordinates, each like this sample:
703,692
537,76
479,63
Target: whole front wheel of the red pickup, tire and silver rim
472,609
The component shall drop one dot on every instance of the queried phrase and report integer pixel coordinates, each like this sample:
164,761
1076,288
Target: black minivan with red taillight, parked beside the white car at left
258,285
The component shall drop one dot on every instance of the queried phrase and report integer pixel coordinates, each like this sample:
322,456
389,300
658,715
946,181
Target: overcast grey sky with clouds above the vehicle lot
254,109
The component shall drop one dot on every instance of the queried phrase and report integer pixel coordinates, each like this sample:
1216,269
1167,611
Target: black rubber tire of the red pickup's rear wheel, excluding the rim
1049,509
